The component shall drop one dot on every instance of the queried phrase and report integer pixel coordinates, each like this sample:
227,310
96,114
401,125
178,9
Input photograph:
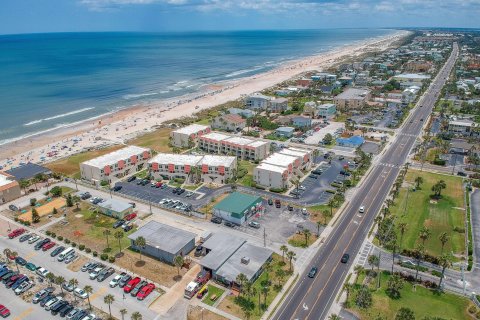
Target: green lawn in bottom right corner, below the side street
423,302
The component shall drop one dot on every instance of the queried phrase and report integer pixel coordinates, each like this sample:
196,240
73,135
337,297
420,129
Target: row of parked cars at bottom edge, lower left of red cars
58,305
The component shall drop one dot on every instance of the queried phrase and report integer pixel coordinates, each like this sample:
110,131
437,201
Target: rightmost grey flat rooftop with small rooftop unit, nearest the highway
255,257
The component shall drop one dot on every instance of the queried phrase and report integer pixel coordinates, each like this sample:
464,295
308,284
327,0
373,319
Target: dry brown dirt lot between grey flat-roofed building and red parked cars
159,272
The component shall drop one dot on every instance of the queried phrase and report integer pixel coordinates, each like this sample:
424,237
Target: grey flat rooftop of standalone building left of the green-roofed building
165,237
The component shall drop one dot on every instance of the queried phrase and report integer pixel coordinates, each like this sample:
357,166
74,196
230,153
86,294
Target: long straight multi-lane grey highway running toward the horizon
312,298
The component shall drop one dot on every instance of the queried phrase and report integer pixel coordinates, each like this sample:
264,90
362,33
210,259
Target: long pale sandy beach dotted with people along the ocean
127,123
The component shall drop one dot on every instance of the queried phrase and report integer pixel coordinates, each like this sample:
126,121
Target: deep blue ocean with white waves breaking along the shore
53,80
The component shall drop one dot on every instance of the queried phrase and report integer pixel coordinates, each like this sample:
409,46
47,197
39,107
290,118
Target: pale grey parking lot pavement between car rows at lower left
43,259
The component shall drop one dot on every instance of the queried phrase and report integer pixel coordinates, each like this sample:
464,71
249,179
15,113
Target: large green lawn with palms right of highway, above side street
440,216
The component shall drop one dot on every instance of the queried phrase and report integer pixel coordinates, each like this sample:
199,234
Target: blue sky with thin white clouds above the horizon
33,16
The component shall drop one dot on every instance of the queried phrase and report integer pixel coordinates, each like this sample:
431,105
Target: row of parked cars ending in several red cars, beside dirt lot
135,286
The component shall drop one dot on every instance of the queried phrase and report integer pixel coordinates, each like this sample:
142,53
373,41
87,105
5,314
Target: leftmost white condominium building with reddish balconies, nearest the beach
115,165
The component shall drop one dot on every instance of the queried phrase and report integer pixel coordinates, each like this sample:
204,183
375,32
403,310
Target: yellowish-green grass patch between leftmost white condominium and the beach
71,166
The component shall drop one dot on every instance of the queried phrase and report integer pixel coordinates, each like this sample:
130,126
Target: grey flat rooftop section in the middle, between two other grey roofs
222,246
